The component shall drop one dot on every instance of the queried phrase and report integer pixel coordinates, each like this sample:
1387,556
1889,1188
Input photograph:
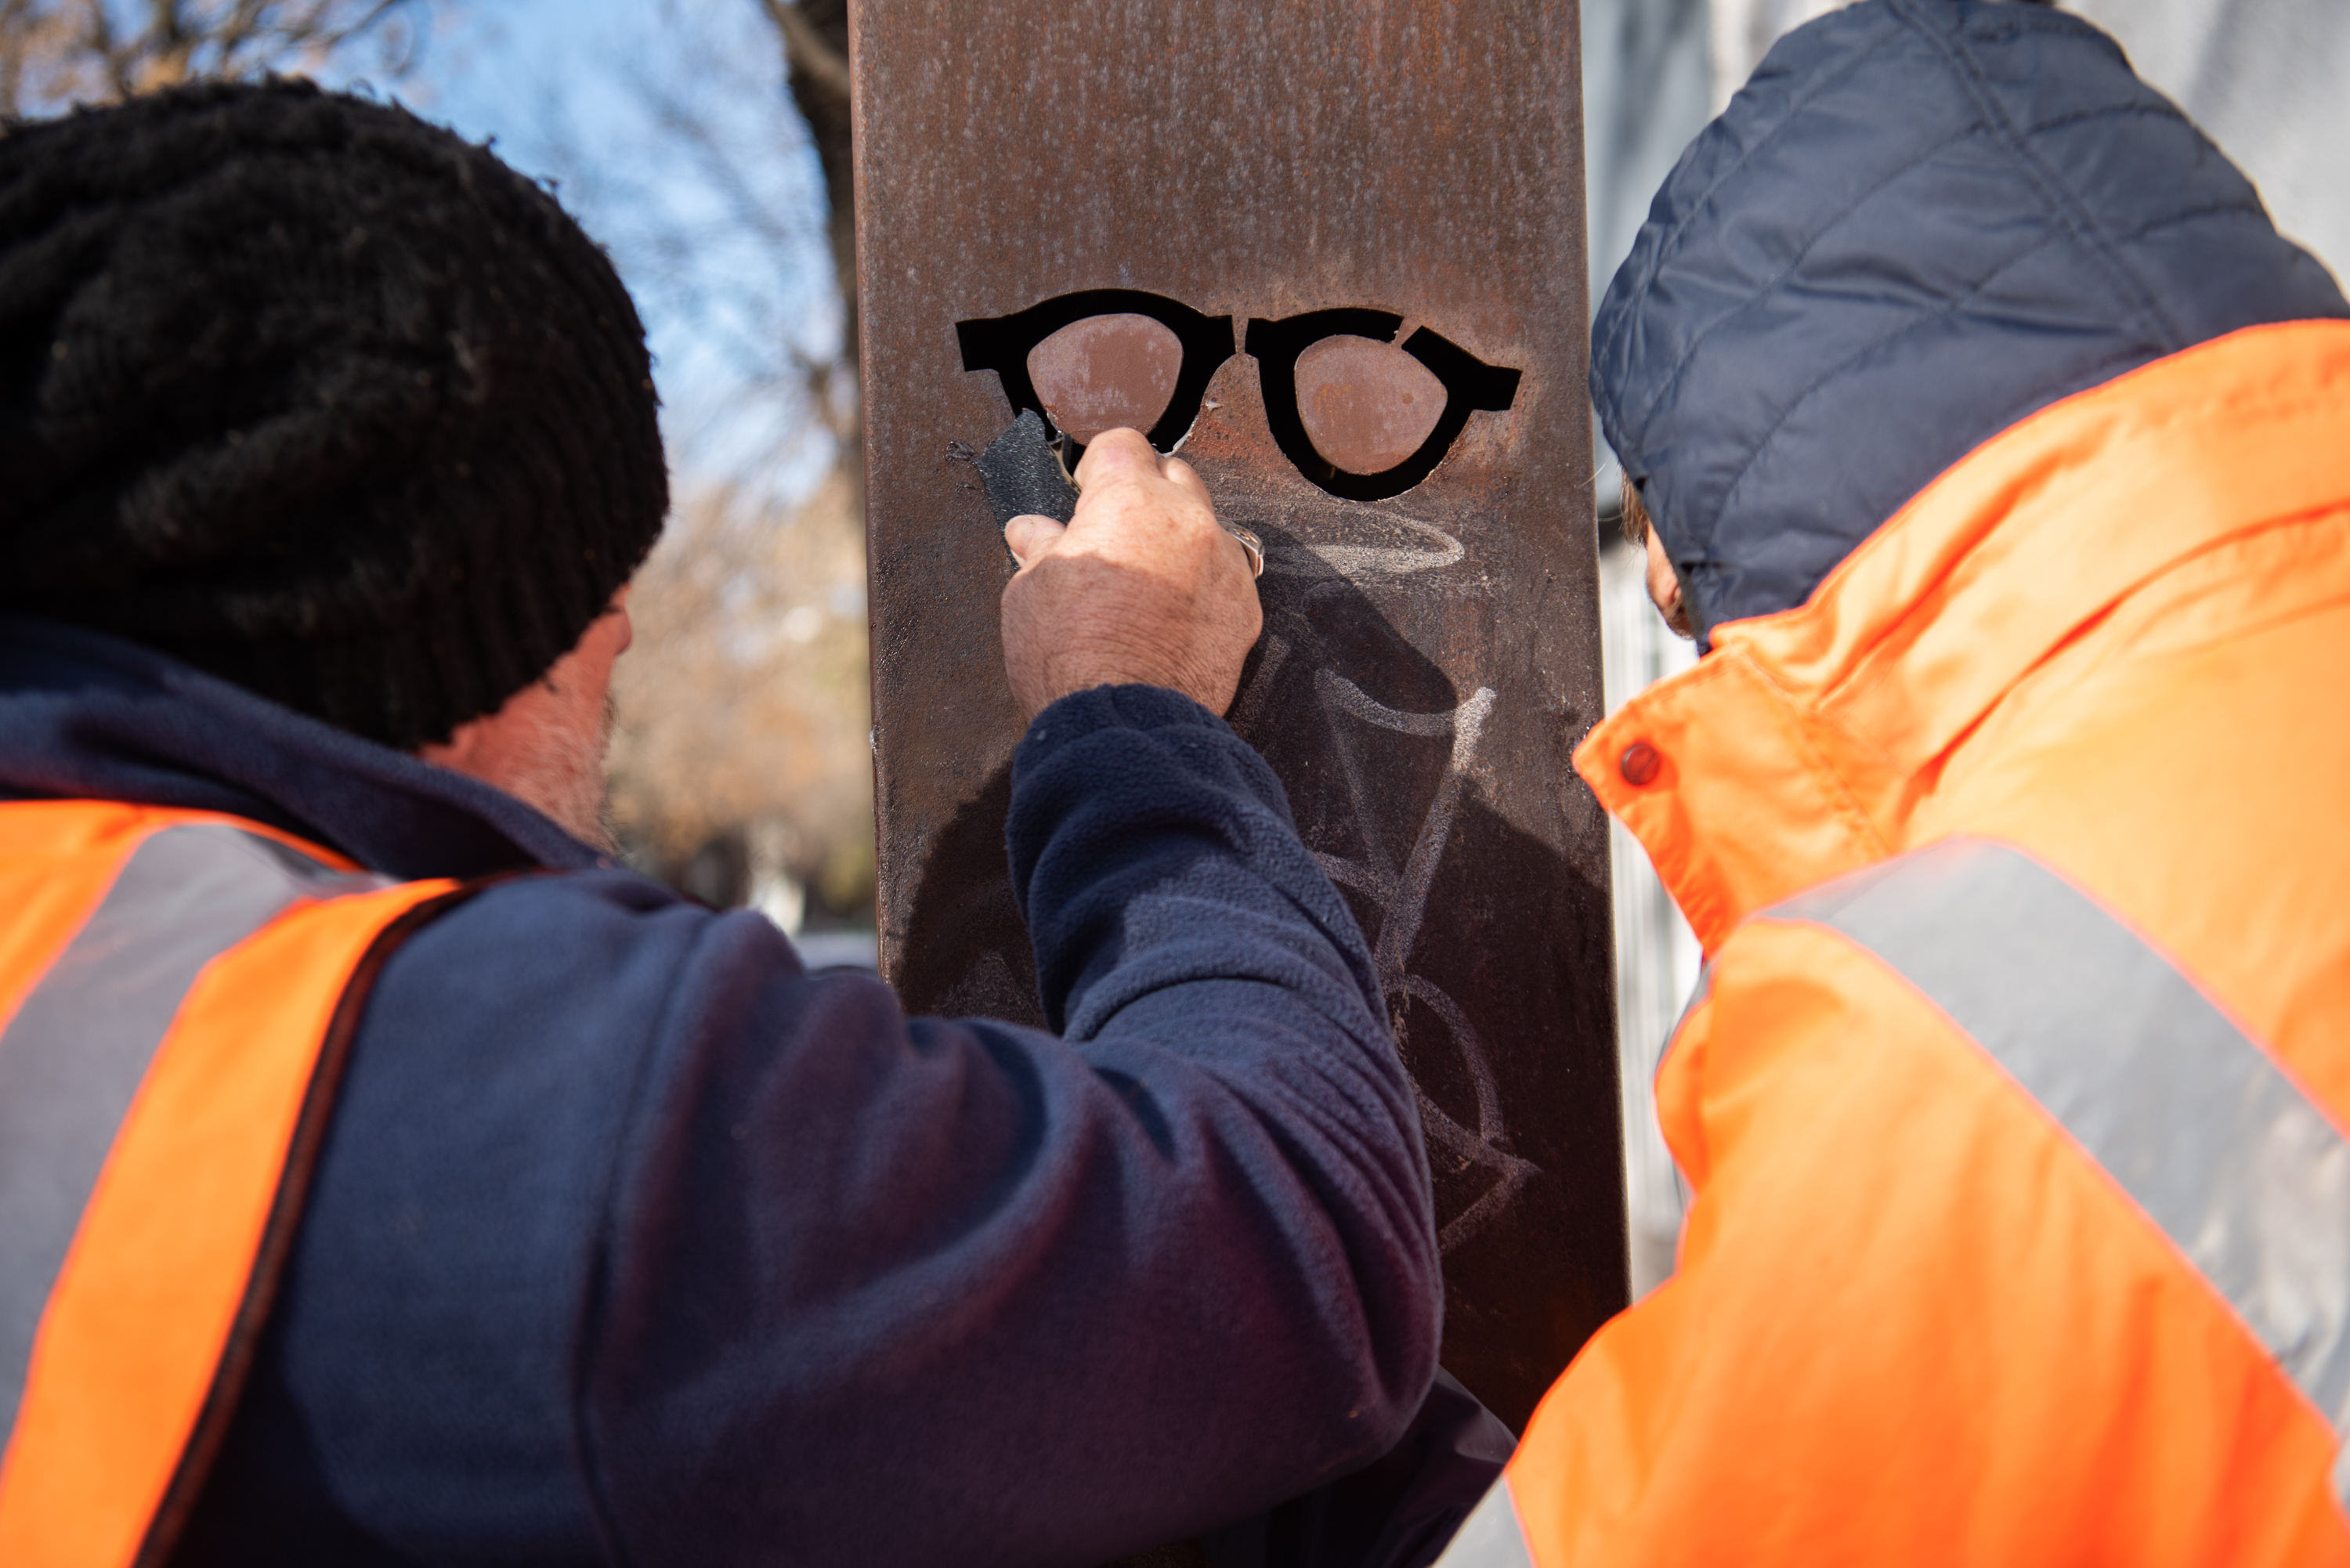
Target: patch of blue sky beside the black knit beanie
666,128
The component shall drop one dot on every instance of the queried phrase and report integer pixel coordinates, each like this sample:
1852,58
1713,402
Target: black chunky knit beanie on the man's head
318,398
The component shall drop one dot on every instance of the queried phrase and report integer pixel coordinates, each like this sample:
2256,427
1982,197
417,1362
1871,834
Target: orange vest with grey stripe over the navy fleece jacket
177,993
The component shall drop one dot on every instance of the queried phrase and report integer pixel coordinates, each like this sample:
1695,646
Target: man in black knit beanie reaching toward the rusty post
387,1177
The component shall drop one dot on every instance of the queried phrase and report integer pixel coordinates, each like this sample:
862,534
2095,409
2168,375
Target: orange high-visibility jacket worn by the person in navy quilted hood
2015,1099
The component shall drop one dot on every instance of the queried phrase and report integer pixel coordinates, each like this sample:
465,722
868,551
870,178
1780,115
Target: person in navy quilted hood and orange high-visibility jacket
1996,448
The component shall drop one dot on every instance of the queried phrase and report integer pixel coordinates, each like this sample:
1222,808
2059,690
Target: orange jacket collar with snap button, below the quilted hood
1804,746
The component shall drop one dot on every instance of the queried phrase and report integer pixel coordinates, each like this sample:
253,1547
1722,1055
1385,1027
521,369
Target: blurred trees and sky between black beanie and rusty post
709,152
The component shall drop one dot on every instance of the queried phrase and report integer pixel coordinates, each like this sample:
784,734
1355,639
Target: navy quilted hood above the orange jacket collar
1916,225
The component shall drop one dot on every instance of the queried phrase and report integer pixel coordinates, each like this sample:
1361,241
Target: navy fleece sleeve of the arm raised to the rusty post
925,1292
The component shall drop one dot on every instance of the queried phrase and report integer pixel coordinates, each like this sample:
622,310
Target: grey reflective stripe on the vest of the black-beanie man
81,1043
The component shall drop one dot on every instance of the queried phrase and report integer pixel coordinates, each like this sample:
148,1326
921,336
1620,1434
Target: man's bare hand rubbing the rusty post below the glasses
1141,587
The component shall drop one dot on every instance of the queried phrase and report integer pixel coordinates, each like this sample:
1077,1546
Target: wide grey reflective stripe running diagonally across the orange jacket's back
2182,1108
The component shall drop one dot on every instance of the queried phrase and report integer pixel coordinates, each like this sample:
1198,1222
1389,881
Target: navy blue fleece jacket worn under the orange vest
633,1242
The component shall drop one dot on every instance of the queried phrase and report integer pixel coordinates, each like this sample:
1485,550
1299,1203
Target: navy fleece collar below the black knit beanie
93,718
